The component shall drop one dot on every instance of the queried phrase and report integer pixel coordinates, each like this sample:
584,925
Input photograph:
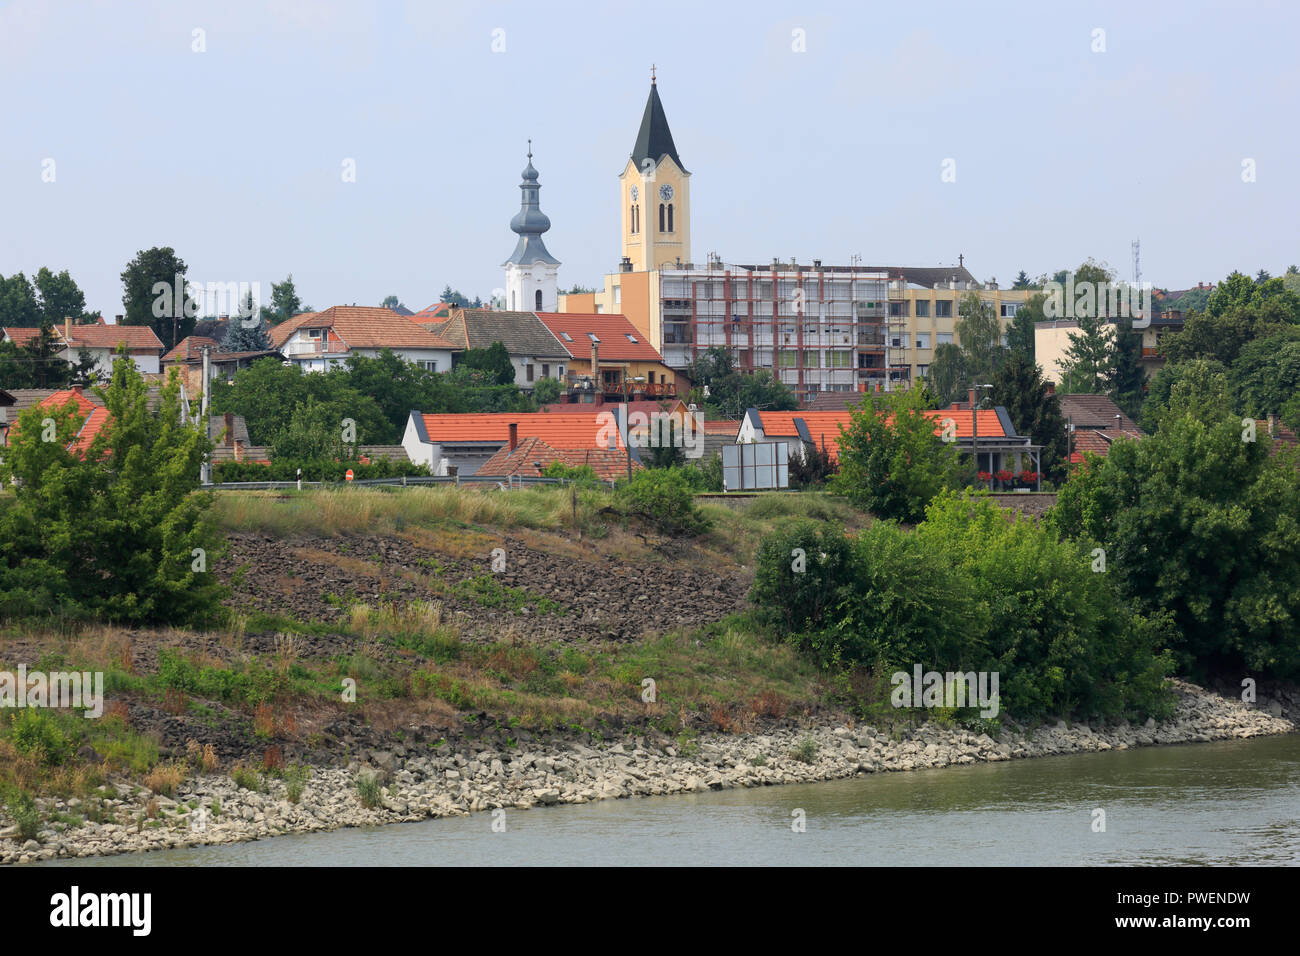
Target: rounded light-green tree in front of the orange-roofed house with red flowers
891,460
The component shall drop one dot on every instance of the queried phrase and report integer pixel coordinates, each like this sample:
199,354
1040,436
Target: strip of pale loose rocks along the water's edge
406,785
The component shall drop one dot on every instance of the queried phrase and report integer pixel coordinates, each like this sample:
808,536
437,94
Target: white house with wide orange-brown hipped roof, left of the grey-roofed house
319,341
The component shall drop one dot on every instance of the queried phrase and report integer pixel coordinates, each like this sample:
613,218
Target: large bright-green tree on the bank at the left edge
122,533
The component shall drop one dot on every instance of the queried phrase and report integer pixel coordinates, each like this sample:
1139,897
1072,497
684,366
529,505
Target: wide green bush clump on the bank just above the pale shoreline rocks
973,589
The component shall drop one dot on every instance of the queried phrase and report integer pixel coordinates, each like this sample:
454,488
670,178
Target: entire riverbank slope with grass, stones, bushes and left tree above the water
358,655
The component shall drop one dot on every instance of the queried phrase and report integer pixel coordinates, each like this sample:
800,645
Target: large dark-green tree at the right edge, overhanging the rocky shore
1198,522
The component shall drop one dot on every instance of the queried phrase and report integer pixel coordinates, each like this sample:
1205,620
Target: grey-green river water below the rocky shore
1221,803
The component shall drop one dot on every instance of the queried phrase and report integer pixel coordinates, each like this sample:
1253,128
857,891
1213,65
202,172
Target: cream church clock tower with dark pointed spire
655,196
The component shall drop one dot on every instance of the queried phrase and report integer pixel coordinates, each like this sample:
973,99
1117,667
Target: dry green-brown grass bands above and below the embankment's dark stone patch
410,661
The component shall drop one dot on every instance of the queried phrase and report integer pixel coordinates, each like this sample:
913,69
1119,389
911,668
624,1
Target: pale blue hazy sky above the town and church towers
1067,131
